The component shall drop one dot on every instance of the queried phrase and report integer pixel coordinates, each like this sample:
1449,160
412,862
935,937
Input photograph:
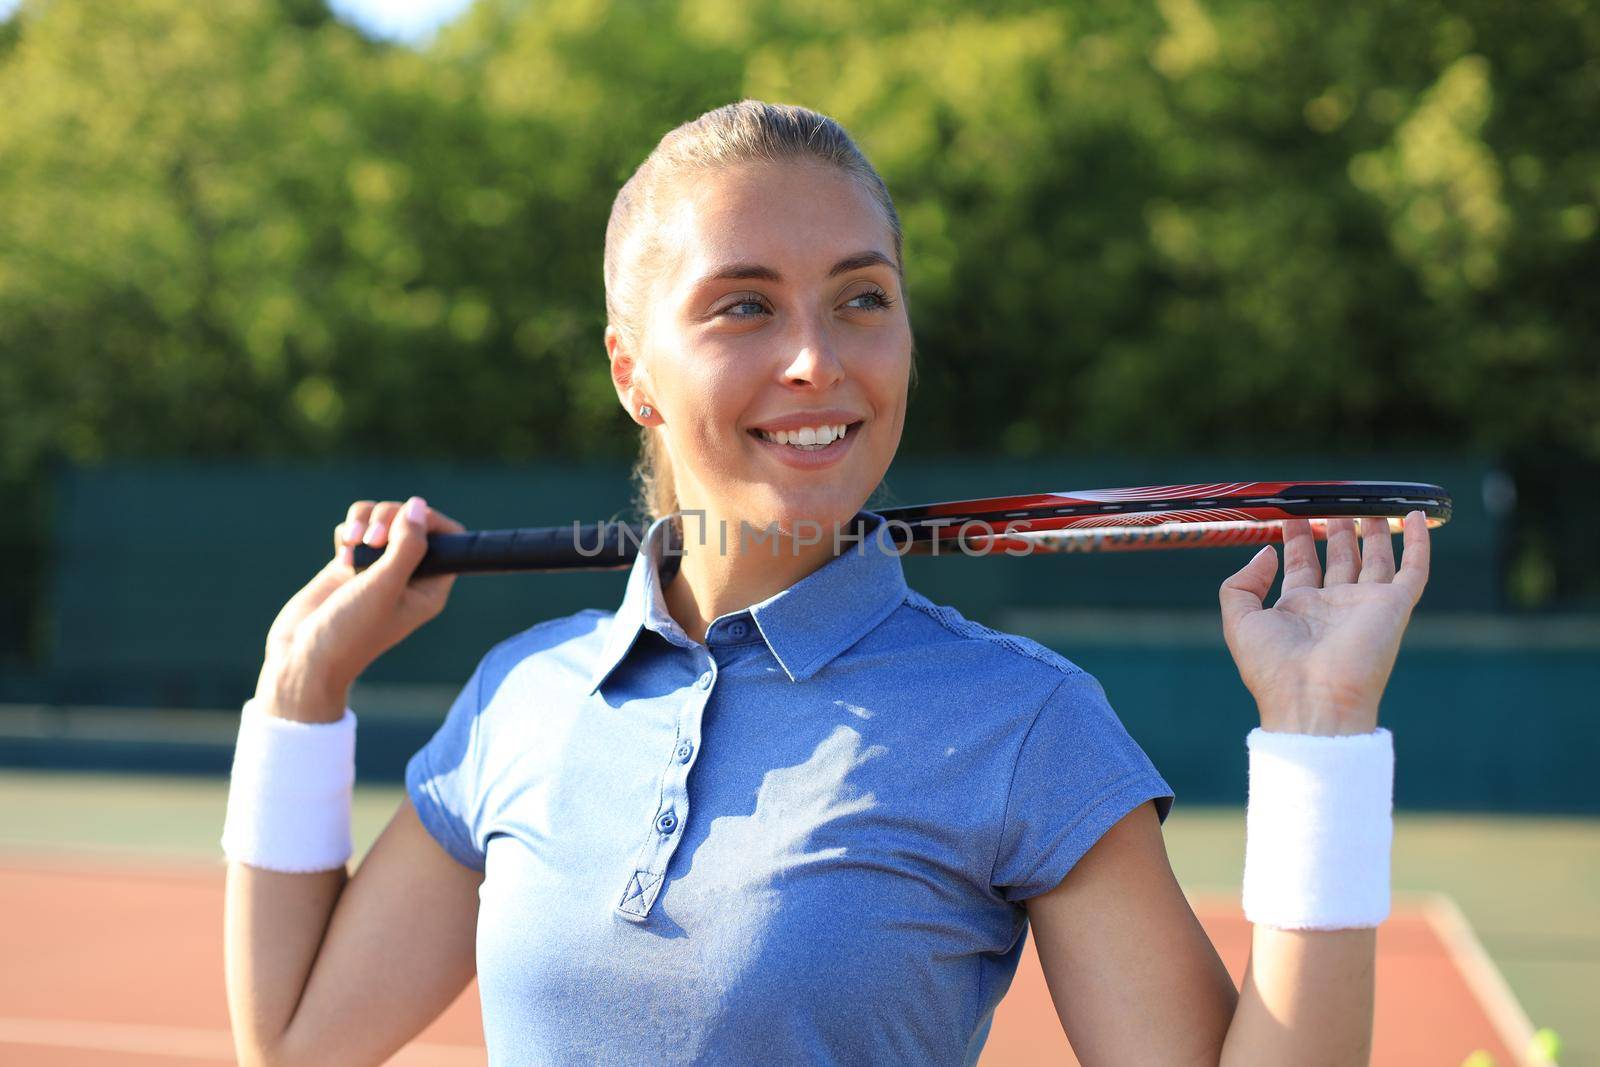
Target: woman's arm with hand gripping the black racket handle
330,969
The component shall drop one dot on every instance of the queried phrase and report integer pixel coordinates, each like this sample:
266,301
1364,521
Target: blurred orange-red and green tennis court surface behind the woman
114,953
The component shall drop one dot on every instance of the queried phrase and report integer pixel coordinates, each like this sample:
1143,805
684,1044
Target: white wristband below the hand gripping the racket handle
289,799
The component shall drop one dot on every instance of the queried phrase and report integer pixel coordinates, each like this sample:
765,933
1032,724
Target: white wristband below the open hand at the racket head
1318,829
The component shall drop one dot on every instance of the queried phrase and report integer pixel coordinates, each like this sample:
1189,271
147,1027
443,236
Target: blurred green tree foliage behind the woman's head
246,230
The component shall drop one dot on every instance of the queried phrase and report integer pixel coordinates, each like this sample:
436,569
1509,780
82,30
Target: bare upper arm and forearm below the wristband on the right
1137,981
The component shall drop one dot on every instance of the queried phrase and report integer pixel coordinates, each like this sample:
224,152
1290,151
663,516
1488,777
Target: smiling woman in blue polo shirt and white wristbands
778,807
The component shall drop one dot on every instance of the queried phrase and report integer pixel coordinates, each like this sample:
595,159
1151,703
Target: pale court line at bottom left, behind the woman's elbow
191,1044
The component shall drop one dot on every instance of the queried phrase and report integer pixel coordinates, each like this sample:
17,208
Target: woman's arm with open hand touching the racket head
1134,975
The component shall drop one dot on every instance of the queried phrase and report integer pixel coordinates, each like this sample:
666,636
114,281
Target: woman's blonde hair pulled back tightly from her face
748,132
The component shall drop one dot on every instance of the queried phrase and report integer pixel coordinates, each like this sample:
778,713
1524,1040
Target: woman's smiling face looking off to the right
778,316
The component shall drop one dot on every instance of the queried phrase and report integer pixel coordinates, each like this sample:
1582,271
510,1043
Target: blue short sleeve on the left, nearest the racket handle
444,777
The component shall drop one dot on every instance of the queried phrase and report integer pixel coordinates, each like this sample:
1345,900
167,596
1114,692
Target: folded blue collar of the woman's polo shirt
804,626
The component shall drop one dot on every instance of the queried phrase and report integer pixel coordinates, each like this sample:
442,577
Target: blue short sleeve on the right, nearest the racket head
1076,775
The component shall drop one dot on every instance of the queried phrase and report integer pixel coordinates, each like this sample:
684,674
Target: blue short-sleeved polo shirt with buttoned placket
802,842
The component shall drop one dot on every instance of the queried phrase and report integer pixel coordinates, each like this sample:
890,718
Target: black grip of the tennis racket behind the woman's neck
575,548
